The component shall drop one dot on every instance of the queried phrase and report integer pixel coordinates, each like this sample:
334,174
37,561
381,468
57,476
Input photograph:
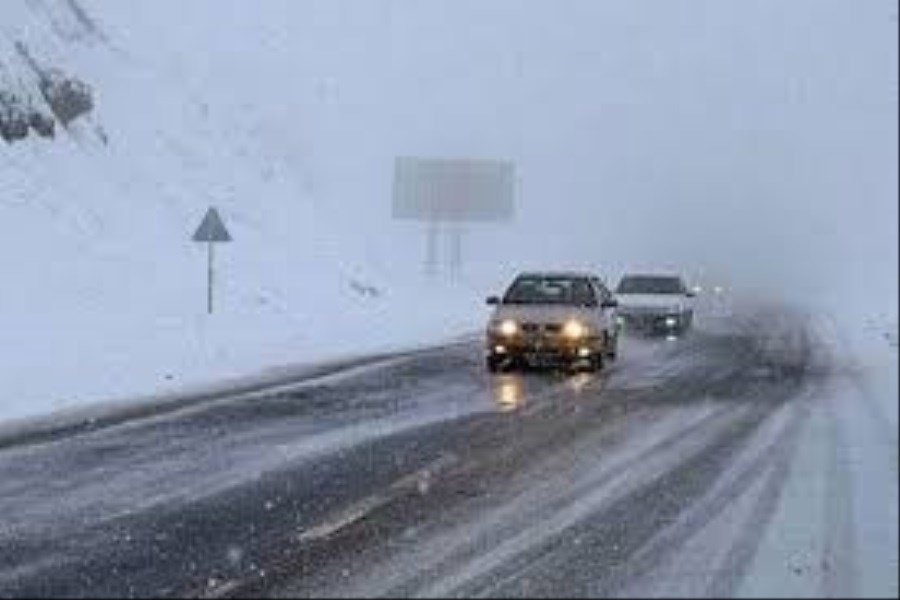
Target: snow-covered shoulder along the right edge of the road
835,529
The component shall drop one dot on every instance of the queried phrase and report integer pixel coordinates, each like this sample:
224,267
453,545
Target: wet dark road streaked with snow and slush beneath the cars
712,465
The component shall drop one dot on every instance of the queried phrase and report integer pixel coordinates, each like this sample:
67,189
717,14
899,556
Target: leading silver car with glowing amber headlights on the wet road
552,319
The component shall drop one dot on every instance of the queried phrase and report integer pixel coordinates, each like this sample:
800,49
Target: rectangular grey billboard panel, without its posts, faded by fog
453,189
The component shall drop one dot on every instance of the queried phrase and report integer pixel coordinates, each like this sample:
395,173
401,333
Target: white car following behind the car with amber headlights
654,303
